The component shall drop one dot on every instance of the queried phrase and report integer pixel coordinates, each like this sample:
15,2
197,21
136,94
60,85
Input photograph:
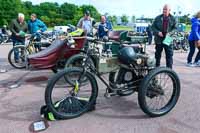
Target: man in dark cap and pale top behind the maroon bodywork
86,23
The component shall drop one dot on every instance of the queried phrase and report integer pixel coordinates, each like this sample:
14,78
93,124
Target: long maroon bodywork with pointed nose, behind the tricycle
49,57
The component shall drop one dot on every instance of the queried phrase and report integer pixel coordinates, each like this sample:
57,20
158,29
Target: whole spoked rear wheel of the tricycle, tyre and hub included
159,92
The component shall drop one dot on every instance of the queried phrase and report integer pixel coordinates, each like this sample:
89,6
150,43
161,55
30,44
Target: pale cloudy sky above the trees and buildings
148,8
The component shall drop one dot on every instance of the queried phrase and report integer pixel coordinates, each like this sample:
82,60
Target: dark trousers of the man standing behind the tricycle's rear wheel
168,53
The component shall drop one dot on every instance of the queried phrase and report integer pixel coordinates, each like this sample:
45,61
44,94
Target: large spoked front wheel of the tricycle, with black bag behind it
67,101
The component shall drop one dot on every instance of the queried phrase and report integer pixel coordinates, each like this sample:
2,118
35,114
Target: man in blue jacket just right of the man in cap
104,27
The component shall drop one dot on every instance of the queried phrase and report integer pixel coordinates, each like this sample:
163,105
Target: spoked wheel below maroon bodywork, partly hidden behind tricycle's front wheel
76,61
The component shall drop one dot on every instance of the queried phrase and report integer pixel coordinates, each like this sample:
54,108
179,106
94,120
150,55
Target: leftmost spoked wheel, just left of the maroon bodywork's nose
16,57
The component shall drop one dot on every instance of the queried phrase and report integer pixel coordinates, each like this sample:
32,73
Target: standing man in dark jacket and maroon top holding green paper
162,25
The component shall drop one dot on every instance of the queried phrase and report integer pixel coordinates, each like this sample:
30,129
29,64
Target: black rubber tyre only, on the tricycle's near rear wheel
143,88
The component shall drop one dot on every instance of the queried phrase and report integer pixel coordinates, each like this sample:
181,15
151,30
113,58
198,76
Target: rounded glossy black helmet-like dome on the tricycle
127,55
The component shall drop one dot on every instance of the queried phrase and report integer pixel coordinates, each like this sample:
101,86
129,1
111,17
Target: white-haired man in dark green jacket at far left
18,27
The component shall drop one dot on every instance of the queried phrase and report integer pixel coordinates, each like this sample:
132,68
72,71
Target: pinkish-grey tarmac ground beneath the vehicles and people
19,107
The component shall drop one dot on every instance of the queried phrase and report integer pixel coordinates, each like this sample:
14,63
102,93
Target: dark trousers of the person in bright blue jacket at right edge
191,53
